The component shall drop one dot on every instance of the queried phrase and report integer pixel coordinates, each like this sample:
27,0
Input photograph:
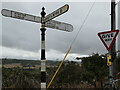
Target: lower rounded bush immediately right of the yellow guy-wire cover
68,76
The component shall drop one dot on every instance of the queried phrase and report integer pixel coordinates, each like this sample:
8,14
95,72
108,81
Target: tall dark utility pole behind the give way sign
112,52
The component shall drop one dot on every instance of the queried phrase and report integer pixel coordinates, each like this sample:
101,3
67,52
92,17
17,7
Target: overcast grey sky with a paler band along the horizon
22,39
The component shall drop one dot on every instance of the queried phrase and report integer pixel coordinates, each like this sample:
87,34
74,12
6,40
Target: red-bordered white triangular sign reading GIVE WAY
108,38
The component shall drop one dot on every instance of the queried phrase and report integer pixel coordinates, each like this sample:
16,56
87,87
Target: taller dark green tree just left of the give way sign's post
95,69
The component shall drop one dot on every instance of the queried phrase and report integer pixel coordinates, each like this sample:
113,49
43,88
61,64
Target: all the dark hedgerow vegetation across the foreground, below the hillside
91,72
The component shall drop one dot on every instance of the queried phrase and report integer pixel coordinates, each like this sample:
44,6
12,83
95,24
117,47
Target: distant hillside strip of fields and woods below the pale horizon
26,62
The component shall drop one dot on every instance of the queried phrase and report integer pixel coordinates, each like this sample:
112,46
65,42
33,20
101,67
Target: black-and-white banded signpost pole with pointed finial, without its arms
43,59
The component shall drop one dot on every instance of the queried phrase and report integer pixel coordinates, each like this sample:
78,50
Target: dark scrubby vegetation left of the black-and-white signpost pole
20,78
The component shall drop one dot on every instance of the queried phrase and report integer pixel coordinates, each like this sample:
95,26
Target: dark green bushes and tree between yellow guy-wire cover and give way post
91,73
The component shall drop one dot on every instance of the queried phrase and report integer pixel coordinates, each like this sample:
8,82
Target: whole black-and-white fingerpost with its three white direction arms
46,21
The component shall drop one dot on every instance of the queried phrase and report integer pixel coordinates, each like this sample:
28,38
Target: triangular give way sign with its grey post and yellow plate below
108,39
